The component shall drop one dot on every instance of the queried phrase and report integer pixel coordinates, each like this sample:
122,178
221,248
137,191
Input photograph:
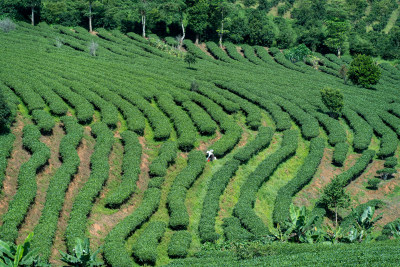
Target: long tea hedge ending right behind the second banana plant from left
83,202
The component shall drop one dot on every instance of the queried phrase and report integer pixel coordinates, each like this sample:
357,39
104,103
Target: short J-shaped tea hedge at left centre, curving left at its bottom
130,170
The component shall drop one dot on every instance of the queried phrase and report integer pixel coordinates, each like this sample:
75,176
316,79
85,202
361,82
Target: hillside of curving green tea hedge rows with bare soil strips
113,146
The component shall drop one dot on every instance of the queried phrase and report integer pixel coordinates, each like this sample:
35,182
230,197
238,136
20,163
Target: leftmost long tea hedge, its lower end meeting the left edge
27,187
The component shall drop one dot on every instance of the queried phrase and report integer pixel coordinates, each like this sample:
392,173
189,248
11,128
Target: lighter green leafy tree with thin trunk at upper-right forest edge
337,35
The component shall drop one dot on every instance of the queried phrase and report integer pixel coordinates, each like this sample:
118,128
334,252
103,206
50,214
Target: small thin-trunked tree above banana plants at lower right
334,196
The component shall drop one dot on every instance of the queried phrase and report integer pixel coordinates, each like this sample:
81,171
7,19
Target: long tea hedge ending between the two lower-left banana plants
46,228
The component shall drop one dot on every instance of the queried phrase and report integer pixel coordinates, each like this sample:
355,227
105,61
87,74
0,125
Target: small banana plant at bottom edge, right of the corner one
82,256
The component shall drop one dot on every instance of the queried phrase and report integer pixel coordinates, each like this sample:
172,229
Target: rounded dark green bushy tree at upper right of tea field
364,71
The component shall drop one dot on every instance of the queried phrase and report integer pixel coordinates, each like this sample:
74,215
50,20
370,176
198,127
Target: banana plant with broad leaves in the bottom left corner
12,255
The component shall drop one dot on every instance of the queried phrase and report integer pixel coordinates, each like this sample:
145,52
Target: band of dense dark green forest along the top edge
337,26
